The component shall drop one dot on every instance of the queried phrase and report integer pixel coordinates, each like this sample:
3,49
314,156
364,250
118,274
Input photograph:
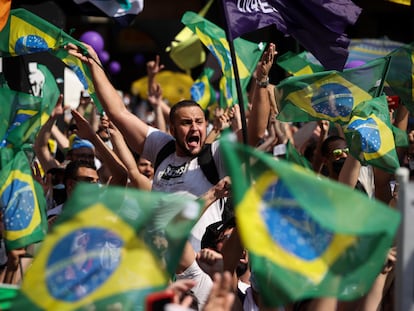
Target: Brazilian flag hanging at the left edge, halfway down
22,203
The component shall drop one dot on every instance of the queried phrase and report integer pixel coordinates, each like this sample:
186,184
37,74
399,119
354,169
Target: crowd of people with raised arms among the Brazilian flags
121,148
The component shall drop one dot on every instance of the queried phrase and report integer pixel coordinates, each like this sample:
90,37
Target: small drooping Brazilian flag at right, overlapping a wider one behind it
370,135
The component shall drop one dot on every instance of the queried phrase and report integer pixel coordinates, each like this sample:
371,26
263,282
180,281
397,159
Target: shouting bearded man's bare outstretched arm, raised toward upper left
133,129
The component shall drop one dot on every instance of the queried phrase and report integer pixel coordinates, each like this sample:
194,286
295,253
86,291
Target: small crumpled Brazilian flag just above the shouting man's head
202,91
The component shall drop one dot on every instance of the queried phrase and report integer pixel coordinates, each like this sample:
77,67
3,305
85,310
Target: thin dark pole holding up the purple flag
236,73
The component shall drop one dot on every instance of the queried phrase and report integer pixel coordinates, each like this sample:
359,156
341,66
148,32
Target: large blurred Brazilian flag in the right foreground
307,235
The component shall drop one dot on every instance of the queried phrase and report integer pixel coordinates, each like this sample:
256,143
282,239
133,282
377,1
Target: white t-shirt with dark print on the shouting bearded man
183,174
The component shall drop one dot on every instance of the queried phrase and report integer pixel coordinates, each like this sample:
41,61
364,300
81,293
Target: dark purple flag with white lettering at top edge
318,25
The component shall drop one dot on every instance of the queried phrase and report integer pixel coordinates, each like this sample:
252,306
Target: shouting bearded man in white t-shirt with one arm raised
180,171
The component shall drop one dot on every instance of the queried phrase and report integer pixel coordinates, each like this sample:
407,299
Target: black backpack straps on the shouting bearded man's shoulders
205,160
